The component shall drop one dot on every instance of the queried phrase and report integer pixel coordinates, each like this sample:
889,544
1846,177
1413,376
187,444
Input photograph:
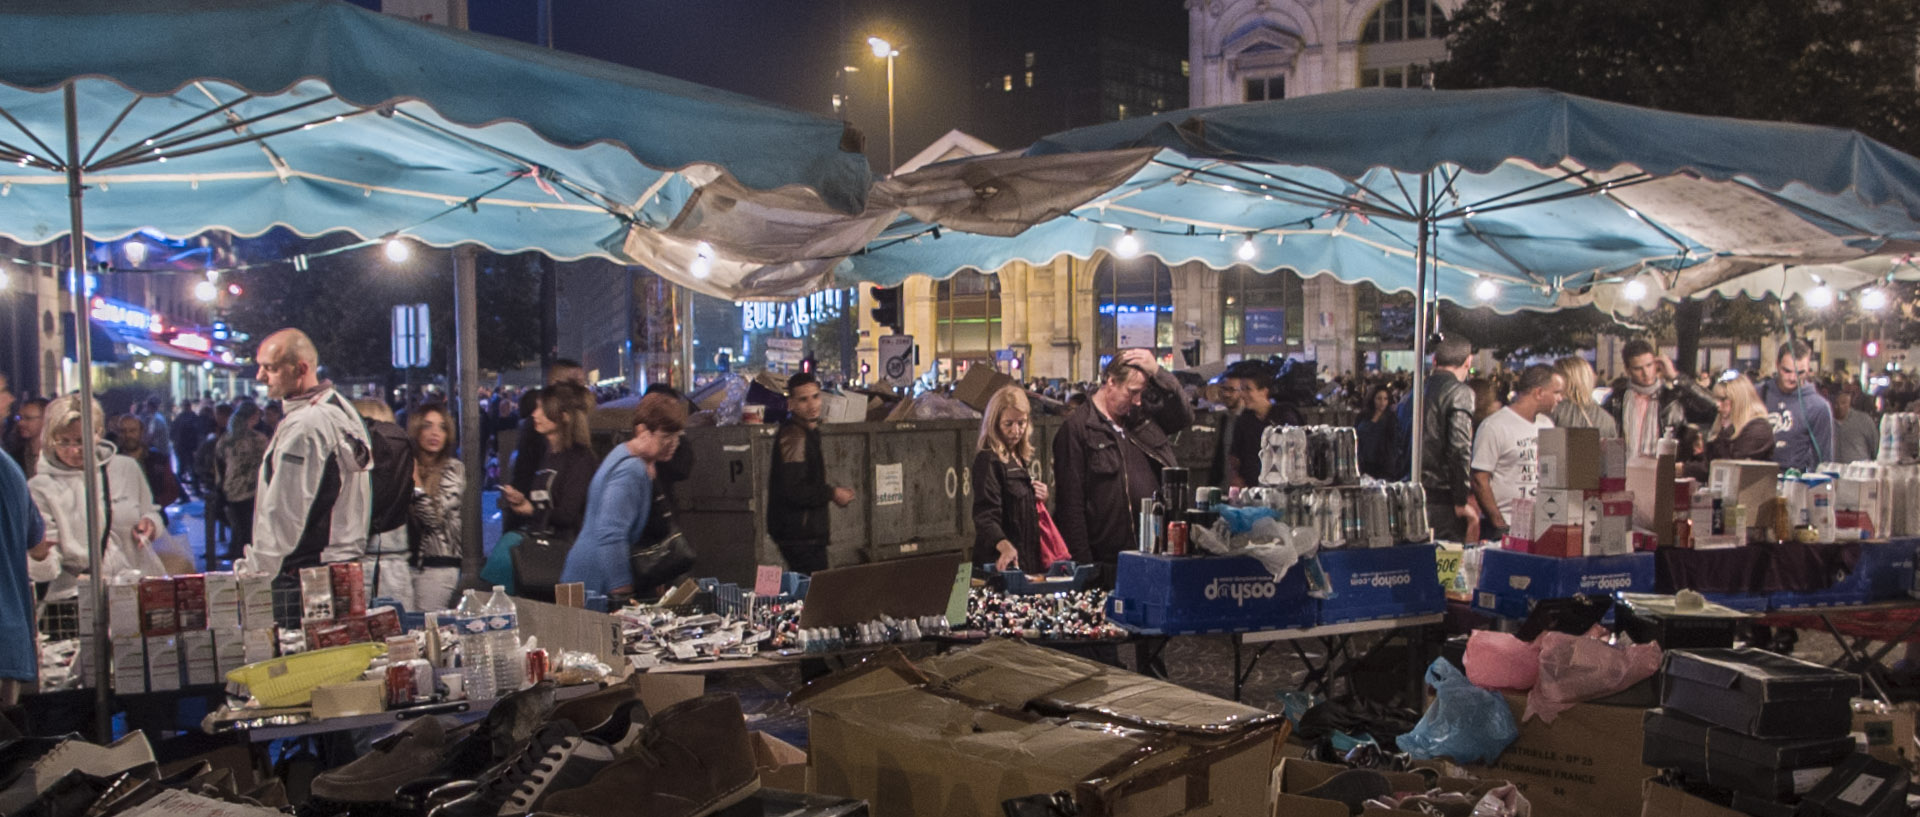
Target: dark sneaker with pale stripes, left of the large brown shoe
556,760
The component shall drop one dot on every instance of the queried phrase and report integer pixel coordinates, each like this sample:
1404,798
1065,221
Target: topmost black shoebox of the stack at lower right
1760,693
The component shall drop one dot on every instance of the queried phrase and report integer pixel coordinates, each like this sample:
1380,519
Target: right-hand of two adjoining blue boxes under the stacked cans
1389,582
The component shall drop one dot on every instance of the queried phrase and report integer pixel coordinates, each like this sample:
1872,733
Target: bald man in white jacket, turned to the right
314,492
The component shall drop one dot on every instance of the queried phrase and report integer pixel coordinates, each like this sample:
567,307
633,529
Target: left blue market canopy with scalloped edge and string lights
322,116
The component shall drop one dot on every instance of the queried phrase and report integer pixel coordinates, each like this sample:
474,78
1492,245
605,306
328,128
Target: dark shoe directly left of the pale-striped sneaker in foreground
477,749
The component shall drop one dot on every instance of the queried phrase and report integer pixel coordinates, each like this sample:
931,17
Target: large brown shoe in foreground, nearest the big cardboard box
692,762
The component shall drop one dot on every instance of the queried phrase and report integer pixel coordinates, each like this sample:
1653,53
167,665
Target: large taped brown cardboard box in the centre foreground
957,735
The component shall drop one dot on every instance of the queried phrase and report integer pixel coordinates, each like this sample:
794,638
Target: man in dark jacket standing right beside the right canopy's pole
1447,446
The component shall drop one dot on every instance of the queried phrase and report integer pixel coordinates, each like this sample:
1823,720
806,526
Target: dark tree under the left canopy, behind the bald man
347,304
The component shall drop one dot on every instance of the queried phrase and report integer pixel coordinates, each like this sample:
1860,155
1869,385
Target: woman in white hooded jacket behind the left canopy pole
128,513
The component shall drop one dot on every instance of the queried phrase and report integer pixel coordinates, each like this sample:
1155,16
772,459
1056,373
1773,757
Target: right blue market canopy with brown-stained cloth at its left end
1533,198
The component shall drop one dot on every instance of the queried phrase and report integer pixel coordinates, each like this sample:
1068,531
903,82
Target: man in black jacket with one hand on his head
1109,455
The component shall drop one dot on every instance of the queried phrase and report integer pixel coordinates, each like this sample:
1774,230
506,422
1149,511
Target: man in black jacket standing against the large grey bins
798,492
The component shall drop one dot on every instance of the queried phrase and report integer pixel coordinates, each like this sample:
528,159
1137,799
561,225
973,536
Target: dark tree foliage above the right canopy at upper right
1821,62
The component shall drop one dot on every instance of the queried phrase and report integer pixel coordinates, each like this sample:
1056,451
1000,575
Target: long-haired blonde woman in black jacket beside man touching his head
1007,528
